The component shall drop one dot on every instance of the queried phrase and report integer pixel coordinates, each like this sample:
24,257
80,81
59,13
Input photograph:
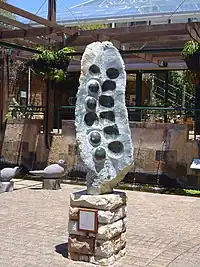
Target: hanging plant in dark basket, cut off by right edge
191,55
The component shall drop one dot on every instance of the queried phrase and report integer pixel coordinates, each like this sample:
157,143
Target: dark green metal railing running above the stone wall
145,114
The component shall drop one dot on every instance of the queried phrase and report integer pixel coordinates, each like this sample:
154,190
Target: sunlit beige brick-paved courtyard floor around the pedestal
163,230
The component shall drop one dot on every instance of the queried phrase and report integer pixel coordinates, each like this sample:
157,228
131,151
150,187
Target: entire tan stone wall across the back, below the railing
158,148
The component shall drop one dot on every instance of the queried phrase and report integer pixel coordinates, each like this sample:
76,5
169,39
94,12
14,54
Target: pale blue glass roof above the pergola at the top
99,9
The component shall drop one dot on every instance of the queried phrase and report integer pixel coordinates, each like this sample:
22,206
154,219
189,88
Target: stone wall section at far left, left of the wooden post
24,143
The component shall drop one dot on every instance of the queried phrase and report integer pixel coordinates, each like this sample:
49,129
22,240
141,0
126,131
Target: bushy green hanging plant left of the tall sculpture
51,65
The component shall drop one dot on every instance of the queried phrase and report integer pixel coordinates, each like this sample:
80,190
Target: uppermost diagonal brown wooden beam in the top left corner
26,14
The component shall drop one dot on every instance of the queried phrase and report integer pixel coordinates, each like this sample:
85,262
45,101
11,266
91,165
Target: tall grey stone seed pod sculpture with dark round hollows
102,127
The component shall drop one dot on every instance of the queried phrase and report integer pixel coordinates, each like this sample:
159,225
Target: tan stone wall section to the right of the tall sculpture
164,148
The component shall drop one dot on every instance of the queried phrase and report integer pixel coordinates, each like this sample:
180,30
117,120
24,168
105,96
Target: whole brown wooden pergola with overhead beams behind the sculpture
149,47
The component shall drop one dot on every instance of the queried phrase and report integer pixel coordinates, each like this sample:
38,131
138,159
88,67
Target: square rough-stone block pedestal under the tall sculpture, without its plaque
108,244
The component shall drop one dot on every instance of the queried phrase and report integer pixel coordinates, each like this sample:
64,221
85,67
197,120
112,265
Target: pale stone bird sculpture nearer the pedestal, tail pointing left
56,170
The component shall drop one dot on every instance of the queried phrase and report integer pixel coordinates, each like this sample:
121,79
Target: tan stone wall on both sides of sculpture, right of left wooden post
158,148
